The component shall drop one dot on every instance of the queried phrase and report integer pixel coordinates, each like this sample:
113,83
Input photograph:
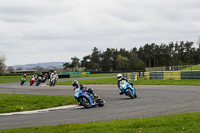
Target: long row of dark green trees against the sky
149,55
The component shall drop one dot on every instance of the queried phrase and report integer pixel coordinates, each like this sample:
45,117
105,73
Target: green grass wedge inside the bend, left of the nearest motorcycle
21,102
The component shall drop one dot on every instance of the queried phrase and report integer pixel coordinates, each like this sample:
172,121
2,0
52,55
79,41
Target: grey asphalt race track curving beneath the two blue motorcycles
152,101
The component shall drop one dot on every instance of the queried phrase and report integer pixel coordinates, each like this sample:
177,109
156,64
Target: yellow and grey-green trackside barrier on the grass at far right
175,75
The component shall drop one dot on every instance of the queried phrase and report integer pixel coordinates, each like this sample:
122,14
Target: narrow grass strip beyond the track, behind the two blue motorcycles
141,81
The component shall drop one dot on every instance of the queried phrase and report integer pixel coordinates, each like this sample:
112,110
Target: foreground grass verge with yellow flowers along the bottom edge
178,123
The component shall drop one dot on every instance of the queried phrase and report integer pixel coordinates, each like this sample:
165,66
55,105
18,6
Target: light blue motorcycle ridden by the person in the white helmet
128,89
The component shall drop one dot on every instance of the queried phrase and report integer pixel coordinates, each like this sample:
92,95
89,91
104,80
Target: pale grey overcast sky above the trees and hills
35,31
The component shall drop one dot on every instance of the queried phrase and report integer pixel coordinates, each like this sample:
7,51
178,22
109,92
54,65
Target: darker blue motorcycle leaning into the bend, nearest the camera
87,98
